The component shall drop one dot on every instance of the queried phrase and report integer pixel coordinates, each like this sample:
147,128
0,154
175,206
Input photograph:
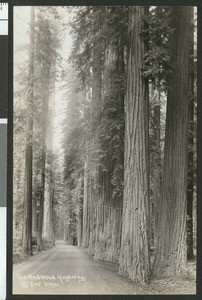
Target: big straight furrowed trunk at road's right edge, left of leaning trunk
134,256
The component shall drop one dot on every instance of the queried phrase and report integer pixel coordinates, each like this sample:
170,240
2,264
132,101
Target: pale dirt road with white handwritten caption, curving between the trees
66,270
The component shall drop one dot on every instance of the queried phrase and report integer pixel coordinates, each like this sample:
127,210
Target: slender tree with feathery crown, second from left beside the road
44,64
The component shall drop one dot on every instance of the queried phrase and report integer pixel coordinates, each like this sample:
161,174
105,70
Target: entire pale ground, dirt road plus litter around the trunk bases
66,269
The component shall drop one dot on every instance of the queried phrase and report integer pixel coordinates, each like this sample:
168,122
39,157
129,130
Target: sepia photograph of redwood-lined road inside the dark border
104,150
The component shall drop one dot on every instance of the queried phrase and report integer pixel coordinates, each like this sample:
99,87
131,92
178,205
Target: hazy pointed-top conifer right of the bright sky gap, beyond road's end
74,150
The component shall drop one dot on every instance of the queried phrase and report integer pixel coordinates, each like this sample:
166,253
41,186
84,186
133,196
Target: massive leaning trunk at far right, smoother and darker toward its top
171,254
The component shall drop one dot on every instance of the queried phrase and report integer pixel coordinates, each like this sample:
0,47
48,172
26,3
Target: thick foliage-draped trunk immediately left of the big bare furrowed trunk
110,201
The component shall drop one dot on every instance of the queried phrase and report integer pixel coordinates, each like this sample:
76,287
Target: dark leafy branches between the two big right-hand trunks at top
157,35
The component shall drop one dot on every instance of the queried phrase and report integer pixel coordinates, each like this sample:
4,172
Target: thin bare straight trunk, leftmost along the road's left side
27,226
